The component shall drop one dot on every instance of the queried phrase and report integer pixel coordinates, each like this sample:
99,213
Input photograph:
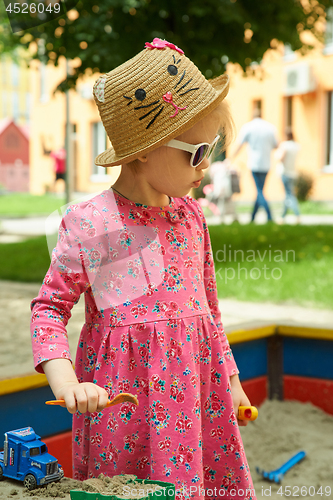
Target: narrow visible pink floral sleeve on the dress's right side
211,294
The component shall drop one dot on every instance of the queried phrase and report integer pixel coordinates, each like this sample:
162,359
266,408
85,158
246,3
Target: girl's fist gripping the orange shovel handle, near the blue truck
84,397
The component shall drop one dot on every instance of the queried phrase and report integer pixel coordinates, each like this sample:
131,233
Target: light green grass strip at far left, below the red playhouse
24,204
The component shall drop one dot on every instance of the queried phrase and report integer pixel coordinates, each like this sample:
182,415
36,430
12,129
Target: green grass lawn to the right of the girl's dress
298,260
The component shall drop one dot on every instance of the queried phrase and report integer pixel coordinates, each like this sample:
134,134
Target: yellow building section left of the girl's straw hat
48,128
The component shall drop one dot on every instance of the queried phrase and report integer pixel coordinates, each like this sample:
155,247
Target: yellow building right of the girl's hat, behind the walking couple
291,90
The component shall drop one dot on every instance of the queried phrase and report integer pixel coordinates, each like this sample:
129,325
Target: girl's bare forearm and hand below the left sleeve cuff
80,397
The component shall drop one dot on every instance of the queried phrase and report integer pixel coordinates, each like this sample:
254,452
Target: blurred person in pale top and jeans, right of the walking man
286,154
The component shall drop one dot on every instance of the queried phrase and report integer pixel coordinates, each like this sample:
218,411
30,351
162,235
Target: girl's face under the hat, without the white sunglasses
168,171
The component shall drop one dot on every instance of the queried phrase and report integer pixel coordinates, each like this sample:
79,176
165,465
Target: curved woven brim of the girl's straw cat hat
109,158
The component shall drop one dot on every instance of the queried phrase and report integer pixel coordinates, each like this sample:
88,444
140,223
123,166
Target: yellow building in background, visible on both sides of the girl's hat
291,90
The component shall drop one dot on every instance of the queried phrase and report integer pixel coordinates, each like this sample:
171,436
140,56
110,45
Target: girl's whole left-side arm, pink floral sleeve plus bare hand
65,281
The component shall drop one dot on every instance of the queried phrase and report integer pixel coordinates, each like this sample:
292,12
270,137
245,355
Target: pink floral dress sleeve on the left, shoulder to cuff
74,263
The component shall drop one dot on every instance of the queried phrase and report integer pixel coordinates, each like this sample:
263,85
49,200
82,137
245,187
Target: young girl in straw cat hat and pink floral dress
140,252
